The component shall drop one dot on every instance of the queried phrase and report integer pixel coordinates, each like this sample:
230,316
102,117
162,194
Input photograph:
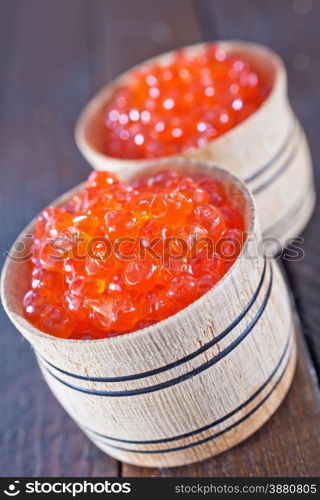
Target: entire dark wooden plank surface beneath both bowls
53,57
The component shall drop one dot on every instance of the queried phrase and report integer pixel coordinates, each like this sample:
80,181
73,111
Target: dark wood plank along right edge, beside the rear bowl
291,29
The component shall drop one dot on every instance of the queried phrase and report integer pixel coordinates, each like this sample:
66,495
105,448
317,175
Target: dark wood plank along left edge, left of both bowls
44,83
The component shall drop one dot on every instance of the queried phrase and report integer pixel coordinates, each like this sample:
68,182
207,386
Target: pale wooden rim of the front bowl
22,324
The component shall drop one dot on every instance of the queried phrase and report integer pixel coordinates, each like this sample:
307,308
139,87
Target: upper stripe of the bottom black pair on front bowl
288,346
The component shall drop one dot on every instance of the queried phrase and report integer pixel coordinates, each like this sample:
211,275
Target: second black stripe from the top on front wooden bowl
182,378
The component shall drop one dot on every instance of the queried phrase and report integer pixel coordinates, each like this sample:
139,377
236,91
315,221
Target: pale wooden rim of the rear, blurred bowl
94,104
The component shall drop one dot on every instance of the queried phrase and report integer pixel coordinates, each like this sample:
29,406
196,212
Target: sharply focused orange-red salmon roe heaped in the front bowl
119,257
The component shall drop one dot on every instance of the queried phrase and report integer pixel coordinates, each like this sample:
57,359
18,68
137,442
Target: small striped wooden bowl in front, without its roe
190,386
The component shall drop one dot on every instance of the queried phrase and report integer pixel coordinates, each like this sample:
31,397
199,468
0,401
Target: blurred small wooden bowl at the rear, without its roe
268,150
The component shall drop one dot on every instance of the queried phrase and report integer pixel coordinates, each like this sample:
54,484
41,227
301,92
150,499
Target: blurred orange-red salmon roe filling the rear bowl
164,110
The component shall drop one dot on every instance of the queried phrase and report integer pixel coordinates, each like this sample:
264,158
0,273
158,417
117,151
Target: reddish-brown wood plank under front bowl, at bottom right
287,445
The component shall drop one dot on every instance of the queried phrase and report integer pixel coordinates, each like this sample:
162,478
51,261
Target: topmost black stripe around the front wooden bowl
178,362
